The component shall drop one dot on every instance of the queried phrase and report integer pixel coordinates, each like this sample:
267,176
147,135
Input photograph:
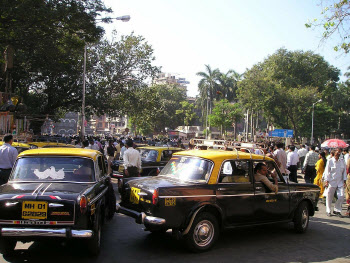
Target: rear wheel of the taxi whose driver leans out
203,233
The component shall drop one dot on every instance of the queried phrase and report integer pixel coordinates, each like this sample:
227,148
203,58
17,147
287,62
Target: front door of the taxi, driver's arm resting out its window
268,205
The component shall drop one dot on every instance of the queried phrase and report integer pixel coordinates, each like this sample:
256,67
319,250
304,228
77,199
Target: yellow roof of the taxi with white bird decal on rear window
62,152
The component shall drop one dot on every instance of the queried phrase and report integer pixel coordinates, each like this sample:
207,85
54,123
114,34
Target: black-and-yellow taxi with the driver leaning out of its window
200,192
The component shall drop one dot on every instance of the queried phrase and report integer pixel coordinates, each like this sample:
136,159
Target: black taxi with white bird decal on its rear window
56,193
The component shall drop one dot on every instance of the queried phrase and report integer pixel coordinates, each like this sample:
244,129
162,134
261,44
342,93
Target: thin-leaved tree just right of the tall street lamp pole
117,69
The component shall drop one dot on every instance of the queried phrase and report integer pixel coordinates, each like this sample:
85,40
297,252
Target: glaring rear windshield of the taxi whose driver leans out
188,169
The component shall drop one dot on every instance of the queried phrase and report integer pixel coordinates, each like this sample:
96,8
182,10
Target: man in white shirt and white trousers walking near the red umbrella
335,174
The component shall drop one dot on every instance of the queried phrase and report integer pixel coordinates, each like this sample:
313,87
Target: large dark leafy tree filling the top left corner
44,48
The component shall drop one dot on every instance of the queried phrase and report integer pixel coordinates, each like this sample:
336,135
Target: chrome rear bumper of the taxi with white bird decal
44,232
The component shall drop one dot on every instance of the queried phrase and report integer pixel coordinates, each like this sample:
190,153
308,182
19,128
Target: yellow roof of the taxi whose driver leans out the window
223,155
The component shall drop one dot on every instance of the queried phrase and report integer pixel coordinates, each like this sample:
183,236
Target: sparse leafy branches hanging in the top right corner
335,20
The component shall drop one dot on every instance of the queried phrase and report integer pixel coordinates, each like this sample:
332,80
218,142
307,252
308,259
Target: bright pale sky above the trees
186,35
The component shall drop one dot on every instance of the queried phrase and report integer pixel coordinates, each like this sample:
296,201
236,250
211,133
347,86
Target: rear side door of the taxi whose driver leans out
235,192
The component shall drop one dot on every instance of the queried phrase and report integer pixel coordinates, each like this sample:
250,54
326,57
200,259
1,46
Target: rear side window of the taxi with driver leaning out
235,171
